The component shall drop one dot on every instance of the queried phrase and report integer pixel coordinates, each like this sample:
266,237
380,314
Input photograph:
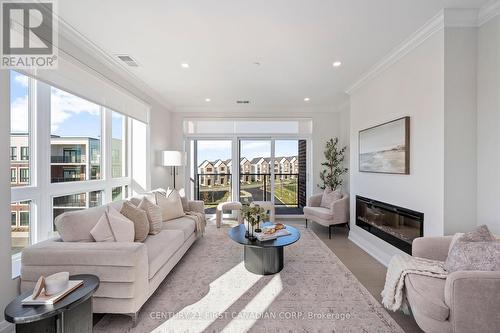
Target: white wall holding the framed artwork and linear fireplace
411,87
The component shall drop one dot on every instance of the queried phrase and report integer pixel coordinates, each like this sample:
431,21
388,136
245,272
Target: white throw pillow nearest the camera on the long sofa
113,227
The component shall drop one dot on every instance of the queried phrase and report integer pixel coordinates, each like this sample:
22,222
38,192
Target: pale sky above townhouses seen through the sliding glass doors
213,150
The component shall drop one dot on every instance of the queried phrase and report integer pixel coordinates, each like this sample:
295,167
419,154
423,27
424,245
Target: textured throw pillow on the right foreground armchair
474,256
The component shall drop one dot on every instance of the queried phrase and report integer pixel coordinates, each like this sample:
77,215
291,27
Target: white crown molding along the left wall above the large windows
80,41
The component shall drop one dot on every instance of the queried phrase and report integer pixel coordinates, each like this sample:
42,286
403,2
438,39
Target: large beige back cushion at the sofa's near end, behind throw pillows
75,226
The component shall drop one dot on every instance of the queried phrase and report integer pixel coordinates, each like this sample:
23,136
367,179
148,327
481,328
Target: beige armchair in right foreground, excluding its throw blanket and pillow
466,301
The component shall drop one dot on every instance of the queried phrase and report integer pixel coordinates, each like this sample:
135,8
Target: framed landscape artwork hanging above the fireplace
385,148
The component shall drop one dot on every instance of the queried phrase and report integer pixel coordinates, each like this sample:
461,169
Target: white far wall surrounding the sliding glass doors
325,125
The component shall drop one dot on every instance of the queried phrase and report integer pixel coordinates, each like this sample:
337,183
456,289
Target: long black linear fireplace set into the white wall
396,225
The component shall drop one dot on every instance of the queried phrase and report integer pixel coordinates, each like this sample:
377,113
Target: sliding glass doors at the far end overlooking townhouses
265,170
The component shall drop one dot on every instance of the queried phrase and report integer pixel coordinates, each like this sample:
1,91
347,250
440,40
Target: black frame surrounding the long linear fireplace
393,240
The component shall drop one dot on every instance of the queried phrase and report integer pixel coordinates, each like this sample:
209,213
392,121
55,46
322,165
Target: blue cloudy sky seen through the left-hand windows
70,115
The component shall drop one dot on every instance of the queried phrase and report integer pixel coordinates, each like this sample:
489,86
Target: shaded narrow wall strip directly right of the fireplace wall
460,109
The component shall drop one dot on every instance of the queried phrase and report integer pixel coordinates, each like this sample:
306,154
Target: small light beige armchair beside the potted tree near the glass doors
337,213
